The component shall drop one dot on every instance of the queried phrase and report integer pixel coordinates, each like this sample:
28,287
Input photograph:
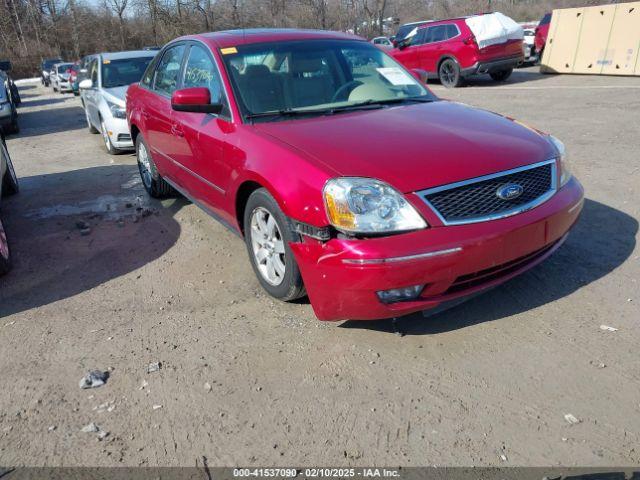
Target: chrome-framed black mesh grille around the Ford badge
477,199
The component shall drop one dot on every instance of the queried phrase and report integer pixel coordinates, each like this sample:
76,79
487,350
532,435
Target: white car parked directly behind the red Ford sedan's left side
104,94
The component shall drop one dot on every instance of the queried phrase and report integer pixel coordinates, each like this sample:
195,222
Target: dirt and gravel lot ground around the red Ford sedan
246,380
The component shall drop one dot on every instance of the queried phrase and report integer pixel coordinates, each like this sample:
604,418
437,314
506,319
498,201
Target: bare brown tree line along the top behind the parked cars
31,30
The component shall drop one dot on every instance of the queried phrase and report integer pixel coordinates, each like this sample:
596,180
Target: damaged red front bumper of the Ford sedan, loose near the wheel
466,259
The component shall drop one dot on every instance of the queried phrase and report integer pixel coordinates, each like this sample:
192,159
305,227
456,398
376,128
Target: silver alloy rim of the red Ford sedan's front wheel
268,246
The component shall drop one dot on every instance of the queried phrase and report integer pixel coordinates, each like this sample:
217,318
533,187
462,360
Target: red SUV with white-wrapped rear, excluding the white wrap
447,49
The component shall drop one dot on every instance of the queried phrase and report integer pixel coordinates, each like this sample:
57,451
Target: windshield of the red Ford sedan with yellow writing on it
286,79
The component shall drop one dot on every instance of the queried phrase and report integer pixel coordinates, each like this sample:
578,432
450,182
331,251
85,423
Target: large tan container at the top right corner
599,40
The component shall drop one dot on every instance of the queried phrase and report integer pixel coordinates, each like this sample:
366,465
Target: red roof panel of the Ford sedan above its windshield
231,38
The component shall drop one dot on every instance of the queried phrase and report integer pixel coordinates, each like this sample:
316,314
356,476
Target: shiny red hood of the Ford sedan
417,146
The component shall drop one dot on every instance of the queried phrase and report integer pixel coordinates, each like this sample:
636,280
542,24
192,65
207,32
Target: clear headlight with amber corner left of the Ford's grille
365,205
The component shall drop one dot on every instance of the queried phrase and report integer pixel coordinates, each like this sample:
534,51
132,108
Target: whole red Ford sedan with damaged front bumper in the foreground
347,178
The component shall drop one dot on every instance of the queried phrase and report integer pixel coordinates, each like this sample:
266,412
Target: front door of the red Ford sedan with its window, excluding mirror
201,138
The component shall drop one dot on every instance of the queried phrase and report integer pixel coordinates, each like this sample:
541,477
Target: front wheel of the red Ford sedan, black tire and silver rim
267,235
